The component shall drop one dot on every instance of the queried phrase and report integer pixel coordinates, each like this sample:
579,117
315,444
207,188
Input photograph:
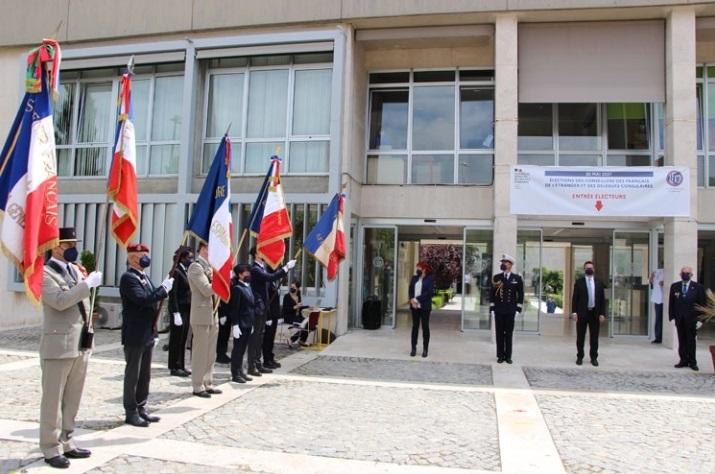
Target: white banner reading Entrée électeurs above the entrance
587,191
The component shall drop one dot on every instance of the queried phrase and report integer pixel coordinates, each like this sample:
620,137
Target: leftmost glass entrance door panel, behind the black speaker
379,270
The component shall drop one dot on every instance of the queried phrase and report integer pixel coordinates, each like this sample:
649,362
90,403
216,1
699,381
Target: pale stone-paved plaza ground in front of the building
363,405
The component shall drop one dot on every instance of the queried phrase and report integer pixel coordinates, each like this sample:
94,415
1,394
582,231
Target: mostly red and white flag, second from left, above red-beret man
122,188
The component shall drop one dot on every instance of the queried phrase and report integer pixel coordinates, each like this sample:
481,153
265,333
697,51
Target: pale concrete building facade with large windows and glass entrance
418,110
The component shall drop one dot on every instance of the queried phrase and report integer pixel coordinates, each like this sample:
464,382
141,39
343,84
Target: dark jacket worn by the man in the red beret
140,301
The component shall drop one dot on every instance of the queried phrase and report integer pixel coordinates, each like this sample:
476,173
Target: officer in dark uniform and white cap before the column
506,297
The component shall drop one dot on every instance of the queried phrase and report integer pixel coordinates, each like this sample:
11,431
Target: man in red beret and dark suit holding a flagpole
140,301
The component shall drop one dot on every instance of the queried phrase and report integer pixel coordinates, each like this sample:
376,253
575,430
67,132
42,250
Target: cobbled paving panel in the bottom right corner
617,435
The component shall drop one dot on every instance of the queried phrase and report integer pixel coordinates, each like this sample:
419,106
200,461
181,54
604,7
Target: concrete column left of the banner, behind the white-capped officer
506,111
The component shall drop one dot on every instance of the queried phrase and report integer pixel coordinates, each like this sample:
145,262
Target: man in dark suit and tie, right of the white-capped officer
588,308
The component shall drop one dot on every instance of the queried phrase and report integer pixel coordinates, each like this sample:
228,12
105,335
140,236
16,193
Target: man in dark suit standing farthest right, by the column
684,296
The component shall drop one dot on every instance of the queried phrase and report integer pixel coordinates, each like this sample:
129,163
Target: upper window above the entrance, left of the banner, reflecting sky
431,127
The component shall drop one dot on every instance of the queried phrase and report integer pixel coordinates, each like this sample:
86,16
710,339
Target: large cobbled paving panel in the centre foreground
396,425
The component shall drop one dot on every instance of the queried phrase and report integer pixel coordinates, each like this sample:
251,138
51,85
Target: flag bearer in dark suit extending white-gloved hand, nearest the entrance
261,279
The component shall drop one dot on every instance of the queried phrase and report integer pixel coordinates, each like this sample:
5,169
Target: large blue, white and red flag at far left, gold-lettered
28,173
